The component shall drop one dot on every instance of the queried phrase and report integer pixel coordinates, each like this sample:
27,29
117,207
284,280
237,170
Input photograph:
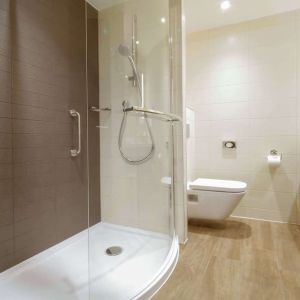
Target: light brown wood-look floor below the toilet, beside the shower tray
246,259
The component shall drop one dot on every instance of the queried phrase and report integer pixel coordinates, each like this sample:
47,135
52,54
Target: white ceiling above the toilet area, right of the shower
205,14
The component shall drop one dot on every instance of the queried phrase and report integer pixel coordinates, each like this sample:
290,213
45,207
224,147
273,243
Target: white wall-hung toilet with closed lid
214,199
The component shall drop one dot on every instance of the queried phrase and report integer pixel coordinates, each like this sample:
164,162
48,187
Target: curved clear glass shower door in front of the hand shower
134,247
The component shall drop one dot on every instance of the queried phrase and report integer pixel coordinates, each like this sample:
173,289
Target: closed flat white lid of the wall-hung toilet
218,185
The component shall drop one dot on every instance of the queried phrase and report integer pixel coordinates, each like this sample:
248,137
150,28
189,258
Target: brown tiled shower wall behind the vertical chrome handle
43,190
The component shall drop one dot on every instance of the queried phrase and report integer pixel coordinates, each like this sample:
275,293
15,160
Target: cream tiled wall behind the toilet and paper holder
243,84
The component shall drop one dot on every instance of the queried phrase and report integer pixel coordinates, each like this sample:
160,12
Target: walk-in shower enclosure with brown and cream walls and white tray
86,199
